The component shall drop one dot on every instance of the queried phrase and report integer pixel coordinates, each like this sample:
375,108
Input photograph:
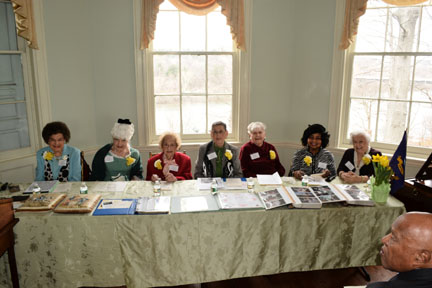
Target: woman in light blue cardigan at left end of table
57,161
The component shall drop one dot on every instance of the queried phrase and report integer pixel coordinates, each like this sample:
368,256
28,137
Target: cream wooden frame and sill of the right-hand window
340,95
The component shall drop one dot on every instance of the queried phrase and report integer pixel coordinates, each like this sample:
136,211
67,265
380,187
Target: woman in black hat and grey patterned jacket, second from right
313,158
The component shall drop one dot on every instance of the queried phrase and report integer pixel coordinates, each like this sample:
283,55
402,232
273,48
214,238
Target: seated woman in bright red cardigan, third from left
169,165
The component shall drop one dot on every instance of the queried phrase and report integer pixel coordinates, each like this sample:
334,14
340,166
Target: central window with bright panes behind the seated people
192,67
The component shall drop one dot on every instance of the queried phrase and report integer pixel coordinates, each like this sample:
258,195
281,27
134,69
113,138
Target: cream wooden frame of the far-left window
37,98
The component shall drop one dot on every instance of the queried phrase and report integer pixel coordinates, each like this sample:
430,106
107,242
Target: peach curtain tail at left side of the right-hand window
353,10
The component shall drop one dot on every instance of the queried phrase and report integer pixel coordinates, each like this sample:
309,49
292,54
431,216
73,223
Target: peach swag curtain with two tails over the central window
232,9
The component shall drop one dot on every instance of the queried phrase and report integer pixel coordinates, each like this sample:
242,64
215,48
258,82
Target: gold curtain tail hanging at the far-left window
24,20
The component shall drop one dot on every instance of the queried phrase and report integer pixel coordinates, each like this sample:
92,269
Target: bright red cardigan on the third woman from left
182,160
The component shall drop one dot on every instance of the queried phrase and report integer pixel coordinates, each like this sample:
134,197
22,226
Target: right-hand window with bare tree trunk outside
388,73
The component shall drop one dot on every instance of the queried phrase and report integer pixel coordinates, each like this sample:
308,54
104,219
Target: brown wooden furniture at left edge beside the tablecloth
7,222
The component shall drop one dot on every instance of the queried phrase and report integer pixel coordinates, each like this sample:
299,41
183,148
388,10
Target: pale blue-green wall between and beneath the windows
91,69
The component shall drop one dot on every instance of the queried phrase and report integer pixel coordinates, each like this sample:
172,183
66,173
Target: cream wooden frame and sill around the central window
144,88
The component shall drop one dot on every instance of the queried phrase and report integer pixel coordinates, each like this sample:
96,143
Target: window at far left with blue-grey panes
14,107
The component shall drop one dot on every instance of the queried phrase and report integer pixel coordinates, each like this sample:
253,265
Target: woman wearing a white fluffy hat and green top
118,161
